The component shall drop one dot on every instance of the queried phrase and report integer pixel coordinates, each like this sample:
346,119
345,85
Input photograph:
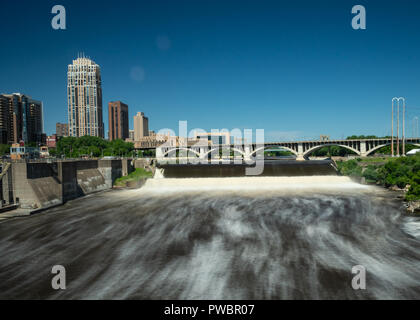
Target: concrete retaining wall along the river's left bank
41,185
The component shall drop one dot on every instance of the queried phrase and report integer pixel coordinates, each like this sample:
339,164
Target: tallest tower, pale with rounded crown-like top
84,96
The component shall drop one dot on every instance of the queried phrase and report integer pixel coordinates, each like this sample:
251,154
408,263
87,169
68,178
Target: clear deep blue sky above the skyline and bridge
294,68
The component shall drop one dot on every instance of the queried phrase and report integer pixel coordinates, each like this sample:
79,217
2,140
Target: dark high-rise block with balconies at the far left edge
22,118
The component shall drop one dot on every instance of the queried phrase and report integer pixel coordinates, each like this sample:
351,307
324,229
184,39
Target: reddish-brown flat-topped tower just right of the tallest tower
118,120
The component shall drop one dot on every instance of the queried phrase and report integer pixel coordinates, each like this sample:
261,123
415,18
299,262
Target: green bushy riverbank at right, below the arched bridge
400,175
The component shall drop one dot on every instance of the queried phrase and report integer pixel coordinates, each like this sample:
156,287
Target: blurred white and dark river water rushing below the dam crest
185,236
